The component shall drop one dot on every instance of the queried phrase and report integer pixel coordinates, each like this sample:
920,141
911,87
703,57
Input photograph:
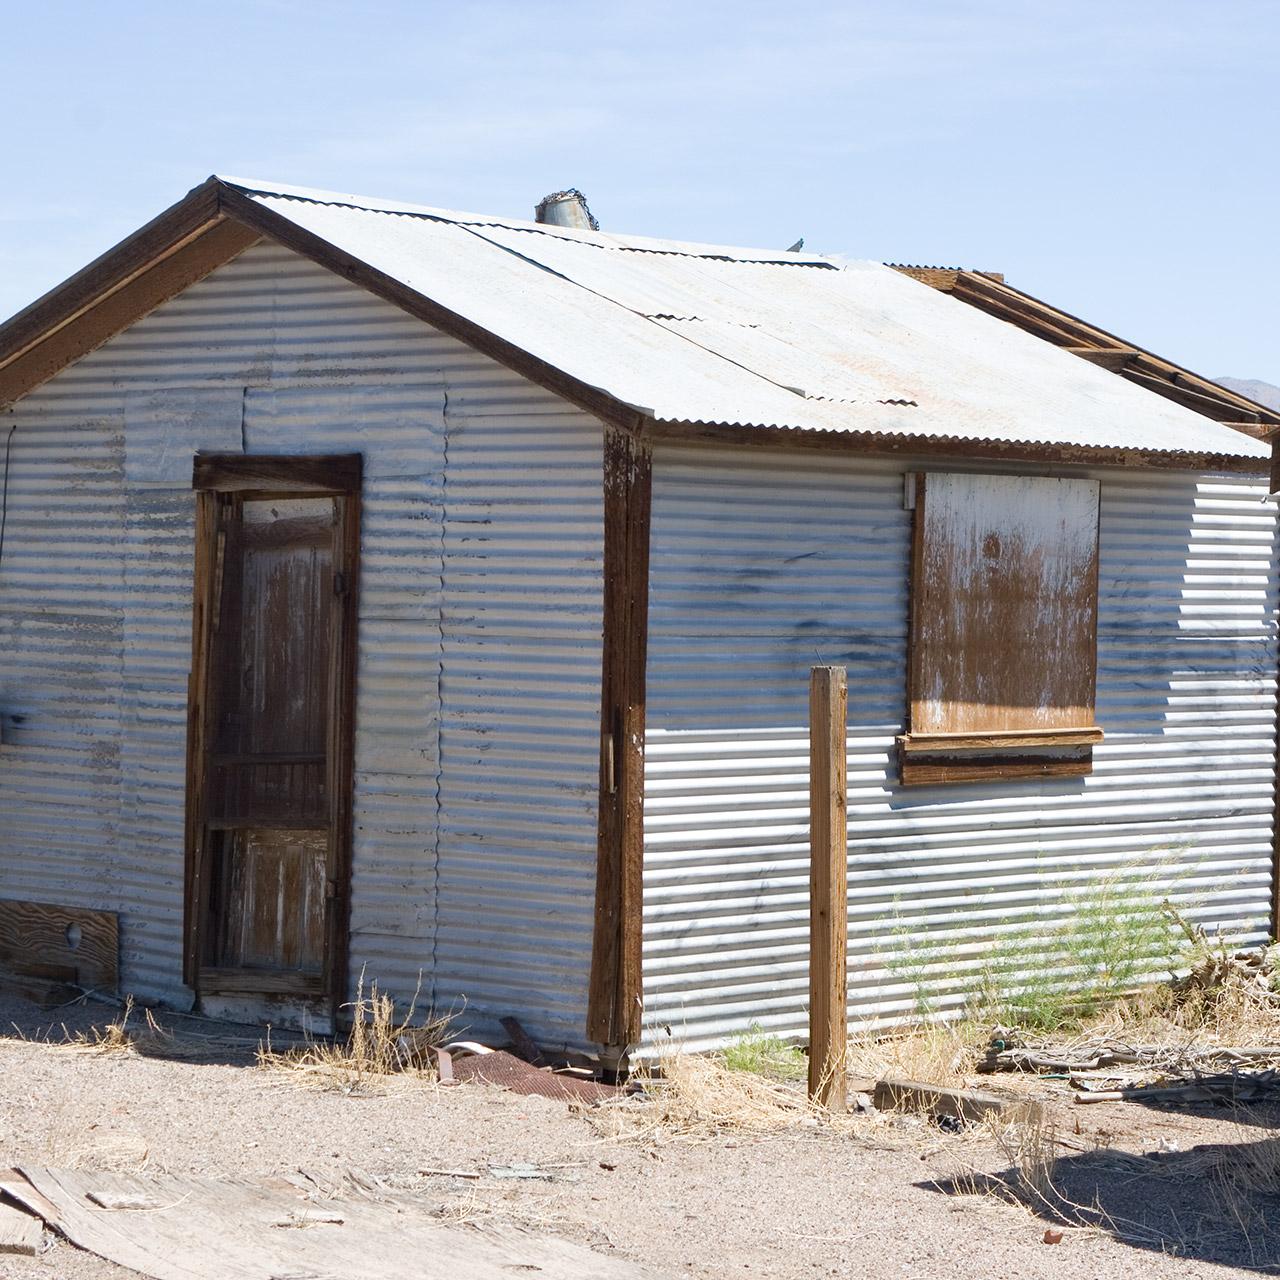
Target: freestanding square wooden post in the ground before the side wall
829,880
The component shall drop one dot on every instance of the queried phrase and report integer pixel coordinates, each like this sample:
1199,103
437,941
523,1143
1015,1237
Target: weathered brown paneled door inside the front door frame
273,684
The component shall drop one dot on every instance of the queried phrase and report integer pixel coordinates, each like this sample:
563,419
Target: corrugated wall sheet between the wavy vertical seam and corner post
522,706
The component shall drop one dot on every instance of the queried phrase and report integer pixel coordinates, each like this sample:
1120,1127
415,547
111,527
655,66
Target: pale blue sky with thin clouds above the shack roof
1117,159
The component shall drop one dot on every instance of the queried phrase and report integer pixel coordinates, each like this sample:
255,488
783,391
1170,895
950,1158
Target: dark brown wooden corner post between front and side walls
614,1003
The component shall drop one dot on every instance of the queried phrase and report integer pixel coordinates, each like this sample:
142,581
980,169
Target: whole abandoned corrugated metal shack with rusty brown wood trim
427,598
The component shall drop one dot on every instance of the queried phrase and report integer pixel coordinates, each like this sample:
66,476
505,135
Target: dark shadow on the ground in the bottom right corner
1218,1203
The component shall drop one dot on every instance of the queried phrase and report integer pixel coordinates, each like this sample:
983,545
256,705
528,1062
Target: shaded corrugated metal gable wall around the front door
474,808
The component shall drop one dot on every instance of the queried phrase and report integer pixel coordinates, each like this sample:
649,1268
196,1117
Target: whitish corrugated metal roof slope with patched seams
747,337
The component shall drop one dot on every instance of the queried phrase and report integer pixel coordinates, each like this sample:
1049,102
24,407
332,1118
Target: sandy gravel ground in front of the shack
877,1200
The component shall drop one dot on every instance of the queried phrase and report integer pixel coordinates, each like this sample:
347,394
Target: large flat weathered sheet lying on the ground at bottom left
346,1227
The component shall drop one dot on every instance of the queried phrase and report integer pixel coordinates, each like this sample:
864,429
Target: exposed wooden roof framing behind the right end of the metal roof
989,292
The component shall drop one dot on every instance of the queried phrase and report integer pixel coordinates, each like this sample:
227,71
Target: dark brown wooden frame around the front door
216,477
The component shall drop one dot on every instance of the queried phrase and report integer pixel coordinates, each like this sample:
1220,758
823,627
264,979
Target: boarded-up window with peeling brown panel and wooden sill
1004,628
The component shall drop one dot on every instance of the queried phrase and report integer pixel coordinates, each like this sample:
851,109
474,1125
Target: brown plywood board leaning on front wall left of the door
62,944
